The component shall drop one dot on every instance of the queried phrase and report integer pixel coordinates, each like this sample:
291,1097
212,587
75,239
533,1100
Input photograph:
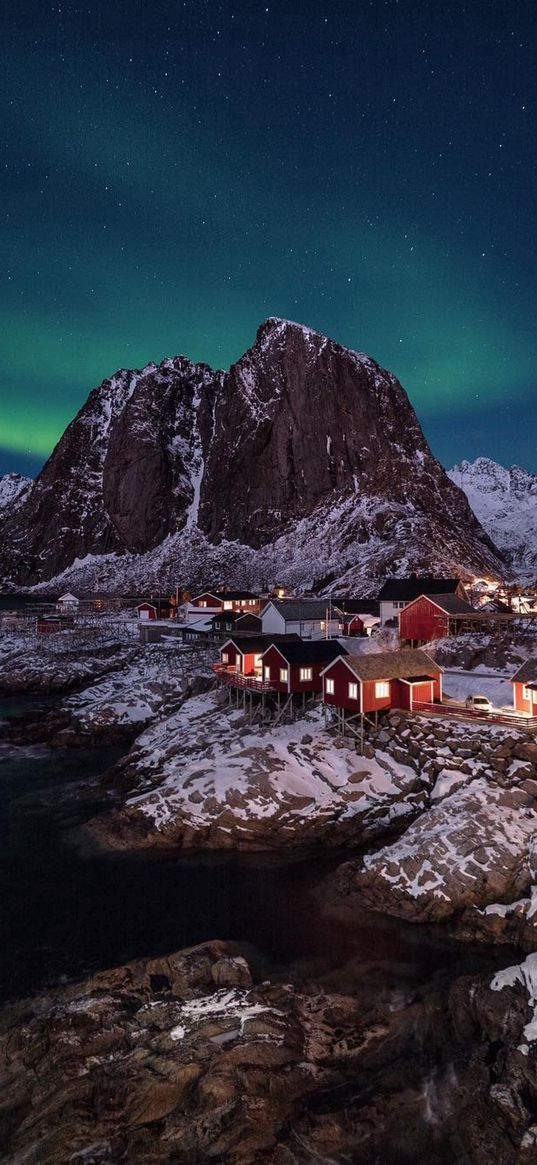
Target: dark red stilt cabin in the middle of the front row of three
296,666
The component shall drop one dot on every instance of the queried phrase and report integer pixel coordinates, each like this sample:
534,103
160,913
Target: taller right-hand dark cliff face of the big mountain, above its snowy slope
301,418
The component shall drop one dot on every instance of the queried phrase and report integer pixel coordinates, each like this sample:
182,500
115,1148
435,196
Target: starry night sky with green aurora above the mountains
174,173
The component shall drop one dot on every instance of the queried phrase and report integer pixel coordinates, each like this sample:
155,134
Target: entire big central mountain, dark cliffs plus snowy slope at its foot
306,462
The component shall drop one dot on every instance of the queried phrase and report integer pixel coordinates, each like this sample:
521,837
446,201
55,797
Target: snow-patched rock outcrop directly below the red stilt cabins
206,769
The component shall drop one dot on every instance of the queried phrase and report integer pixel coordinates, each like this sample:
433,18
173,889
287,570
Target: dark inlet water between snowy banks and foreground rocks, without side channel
67,909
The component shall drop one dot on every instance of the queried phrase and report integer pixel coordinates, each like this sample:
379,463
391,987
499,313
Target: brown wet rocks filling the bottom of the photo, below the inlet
186,1060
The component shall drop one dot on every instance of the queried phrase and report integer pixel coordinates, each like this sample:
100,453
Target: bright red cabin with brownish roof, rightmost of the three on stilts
381,681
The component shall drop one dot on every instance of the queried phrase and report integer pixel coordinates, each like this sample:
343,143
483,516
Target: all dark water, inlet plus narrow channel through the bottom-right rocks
68,910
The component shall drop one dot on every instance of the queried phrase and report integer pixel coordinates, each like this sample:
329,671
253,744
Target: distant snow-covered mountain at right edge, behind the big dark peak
506,504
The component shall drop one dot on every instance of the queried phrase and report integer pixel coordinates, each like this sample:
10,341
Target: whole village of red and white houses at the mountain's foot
275,655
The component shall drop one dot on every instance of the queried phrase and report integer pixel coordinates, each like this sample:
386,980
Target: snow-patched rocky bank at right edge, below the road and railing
470,858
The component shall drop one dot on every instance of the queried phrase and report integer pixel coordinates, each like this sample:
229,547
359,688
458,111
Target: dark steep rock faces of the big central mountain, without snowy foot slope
298,423
